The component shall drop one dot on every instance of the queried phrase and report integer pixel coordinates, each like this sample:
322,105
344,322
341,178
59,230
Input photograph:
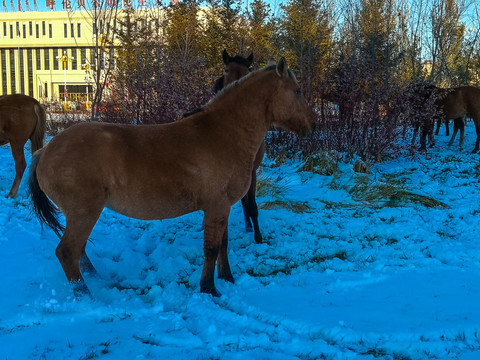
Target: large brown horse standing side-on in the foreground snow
201,162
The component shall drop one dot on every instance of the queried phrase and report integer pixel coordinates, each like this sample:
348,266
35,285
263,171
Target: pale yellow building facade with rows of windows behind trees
33,48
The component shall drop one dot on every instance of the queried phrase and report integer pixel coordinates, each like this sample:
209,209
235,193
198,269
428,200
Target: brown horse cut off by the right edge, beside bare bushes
456,103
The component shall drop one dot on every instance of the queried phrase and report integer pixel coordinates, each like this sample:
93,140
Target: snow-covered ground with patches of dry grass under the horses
348,276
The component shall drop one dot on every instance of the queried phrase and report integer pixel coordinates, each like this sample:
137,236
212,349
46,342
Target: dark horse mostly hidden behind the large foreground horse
235,68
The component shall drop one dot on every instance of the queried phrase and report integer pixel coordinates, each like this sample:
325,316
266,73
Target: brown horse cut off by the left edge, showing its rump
21,118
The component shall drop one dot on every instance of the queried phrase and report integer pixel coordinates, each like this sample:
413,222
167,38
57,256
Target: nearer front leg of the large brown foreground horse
215,225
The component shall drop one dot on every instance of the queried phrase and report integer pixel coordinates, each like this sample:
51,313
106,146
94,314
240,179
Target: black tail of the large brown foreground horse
44,209
